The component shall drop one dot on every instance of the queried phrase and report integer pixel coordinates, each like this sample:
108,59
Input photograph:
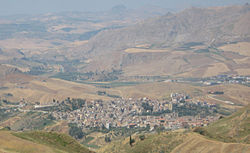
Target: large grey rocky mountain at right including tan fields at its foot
183,44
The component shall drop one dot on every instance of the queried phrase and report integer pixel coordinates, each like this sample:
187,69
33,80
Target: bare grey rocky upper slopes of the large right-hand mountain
192,25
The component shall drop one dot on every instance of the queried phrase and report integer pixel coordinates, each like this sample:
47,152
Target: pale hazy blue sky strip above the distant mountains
8,7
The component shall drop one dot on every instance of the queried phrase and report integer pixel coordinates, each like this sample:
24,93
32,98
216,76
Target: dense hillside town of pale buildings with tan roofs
179,112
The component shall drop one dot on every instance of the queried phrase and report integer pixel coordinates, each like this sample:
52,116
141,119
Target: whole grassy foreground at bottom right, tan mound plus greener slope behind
230,134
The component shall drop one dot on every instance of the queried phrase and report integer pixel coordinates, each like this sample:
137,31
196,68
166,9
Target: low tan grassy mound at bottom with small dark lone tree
174,142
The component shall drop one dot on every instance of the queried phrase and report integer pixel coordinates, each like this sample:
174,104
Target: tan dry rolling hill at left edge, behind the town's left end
45,90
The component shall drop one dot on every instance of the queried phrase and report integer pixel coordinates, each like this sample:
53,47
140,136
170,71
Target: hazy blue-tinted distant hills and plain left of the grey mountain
46,43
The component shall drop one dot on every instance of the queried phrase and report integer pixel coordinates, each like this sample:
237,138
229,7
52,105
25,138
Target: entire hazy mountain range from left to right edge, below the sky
197,42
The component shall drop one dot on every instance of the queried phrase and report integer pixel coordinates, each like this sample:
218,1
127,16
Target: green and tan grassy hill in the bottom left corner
43,142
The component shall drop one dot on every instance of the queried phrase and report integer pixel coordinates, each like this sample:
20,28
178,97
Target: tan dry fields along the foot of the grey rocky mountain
192,63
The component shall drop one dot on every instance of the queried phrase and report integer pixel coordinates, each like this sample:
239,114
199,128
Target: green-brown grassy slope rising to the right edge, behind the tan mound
235,128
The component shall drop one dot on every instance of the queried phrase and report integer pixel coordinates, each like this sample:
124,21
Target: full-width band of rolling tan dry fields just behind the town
34,89
